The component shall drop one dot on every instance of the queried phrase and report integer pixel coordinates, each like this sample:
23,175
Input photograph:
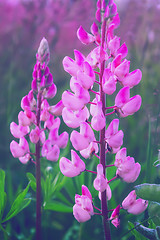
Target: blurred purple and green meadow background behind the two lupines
23,23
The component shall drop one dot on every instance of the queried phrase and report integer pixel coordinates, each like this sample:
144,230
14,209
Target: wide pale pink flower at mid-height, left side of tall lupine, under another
73,119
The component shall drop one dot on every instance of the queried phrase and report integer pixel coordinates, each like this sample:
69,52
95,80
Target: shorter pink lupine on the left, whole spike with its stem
37,119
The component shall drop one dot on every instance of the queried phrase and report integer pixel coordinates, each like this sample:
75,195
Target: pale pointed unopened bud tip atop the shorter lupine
43,54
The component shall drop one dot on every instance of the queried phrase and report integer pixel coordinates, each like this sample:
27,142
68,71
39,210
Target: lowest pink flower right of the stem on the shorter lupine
50,151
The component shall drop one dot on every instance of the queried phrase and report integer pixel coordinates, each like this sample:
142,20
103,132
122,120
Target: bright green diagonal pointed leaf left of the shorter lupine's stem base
18,205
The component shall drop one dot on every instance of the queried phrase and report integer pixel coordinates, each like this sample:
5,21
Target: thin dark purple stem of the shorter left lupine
38,174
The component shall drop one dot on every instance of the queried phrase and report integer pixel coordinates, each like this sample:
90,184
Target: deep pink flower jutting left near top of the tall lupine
84,37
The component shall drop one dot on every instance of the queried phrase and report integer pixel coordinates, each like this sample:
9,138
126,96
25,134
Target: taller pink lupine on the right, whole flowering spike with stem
107,66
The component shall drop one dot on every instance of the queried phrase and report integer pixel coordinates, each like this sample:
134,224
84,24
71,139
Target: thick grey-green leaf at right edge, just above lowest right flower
148,191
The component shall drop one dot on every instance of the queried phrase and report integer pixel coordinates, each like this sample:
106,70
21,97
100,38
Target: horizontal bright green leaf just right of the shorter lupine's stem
58,207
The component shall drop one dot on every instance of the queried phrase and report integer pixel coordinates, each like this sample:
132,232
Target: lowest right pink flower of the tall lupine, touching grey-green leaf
133,205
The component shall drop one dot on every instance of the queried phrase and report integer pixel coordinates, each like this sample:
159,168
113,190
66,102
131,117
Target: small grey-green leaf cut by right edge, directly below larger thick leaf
154,212
